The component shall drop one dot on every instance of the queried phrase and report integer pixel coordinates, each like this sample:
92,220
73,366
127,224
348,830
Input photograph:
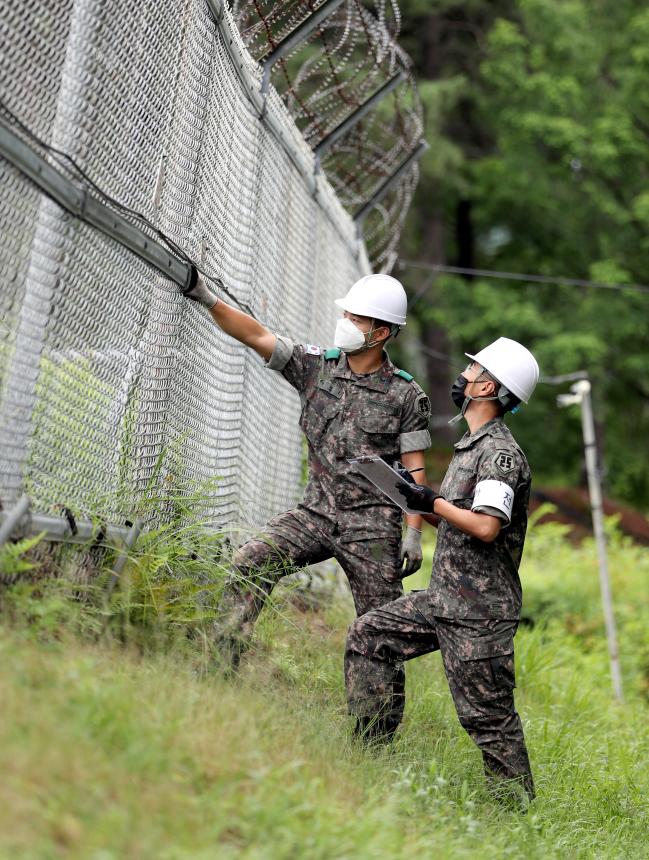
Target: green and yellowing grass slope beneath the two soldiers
114,750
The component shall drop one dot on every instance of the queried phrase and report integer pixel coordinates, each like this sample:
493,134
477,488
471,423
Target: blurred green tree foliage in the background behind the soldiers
538,119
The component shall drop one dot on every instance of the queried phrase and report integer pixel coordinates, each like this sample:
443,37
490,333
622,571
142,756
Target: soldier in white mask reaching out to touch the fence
354,403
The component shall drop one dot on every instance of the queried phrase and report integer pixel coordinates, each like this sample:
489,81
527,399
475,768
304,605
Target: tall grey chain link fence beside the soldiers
113,387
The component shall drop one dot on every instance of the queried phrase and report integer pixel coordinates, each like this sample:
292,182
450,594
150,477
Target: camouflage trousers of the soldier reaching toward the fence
296,539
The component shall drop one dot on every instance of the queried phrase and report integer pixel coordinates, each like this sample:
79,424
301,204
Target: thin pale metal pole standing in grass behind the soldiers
581,396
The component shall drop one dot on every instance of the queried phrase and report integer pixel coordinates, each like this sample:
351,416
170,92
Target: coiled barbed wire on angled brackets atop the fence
347,58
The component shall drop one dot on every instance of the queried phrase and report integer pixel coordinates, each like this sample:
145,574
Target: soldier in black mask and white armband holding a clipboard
471,609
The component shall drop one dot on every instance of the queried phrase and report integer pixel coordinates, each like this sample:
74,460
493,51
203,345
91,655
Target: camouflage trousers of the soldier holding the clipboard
478,658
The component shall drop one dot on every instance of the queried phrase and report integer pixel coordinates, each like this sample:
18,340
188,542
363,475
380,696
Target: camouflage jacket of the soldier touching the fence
344,415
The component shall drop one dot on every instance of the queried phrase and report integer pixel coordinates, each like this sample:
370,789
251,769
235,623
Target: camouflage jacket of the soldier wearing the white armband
471,578
